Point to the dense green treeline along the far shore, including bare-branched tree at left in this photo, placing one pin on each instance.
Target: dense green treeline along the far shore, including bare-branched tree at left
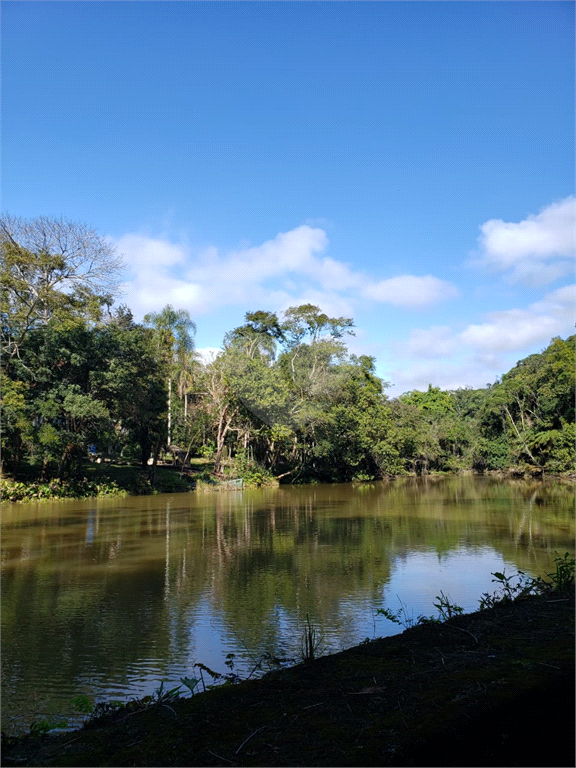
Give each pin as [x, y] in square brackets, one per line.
[283, 399]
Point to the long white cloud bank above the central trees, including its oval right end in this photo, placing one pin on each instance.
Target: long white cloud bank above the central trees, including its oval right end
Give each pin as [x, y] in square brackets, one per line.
[288, 270]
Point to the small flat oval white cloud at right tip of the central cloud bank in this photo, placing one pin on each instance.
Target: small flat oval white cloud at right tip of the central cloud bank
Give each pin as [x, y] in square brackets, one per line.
[411, 291]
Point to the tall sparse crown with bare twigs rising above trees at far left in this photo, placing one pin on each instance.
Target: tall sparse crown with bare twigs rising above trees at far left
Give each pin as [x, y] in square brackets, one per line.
[52, 268]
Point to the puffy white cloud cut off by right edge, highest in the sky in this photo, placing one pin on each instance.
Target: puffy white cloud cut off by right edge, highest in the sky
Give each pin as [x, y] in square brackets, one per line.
[536, 250]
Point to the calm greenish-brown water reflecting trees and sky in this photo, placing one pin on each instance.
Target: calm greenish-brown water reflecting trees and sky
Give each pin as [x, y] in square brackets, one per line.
[108, 597]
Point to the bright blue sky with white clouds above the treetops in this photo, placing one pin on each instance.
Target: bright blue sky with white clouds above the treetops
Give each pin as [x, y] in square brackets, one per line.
[409, 165]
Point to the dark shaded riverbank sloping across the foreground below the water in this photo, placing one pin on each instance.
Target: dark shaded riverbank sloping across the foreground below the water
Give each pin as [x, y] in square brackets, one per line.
[490, 688]
